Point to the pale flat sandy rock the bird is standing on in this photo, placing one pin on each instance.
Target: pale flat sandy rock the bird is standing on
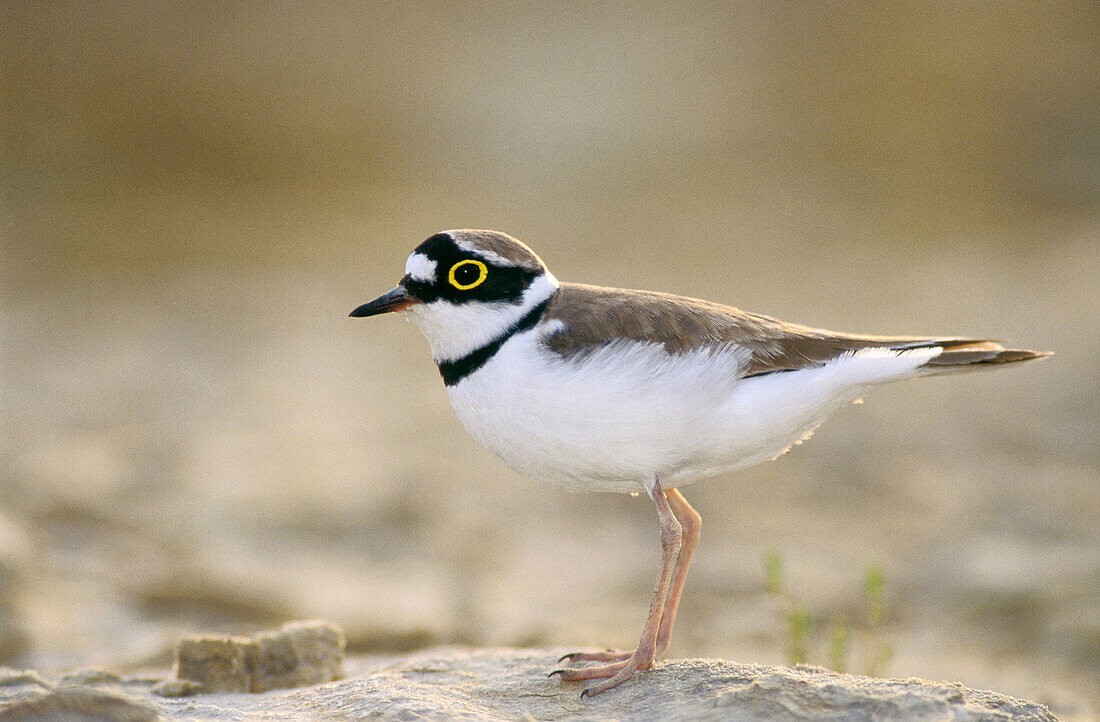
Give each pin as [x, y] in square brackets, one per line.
[513, 684]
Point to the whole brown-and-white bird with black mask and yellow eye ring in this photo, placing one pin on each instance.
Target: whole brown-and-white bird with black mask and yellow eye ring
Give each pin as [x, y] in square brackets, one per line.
[607, 390]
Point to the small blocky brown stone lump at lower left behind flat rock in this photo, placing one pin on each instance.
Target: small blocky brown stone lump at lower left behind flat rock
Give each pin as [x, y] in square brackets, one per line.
[299, 654]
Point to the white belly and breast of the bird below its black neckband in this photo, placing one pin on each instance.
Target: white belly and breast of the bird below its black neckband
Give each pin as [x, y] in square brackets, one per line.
[631, 412]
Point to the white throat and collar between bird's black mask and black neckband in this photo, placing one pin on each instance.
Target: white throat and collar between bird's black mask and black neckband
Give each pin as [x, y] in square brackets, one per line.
[455, 331]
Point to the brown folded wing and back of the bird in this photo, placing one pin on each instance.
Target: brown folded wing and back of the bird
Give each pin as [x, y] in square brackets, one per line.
[593, 318]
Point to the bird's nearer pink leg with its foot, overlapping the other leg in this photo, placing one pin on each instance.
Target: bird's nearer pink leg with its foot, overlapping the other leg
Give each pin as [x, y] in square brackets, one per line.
[644, 657]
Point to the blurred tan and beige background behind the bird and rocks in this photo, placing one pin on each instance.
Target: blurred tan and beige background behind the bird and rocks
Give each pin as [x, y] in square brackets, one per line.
[195, 437]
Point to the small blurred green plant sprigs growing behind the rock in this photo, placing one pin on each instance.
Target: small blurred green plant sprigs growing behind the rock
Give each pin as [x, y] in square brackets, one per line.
[801, 629]
